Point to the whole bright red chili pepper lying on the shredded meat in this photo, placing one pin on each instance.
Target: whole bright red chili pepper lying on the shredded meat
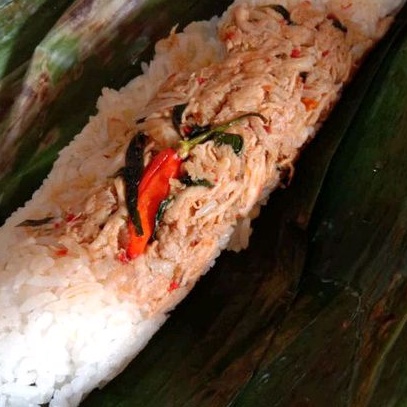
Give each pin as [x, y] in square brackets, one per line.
[154, 187]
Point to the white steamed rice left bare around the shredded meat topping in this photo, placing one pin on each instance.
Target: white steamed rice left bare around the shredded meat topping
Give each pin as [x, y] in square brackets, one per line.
[63, 326]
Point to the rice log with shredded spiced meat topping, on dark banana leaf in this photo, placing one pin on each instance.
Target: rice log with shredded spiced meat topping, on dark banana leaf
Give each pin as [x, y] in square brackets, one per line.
[74, 308]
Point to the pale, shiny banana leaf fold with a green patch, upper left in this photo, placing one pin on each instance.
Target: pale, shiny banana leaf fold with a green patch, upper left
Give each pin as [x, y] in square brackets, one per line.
[57, 61]
